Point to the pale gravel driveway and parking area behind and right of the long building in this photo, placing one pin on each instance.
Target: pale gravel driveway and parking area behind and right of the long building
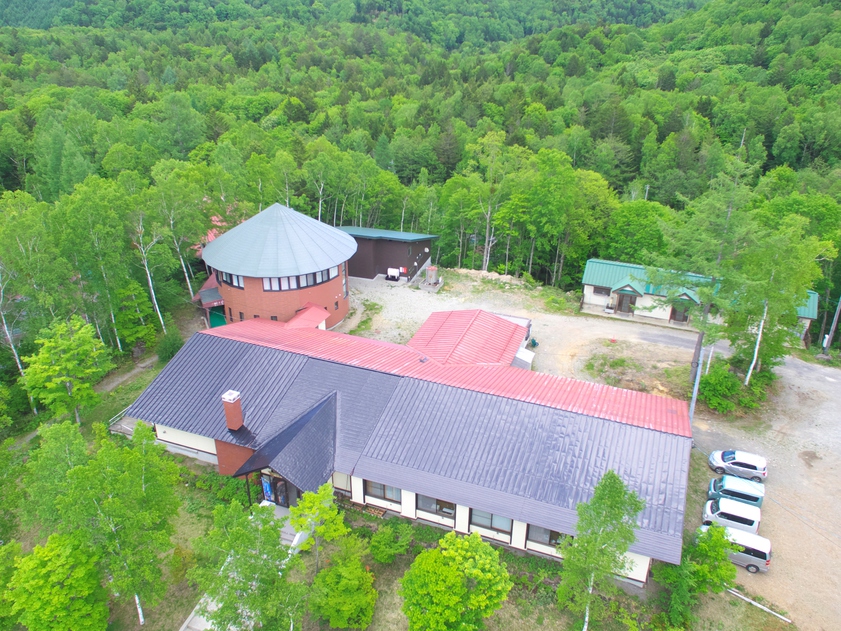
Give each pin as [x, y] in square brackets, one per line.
[799, 430]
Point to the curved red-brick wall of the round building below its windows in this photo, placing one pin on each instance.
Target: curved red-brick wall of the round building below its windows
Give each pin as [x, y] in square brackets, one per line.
[251, 300]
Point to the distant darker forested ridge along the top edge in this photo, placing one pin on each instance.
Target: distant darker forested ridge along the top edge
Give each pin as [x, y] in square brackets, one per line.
[446, 22]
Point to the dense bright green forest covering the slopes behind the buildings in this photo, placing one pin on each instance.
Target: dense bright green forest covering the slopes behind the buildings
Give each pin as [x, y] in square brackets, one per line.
[527, 148]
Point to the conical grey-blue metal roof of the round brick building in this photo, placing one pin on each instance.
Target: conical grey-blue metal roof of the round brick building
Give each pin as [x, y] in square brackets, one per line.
[279, 242]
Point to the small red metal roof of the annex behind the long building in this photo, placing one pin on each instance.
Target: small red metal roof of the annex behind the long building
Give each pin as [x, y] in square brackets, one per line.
[469, 337]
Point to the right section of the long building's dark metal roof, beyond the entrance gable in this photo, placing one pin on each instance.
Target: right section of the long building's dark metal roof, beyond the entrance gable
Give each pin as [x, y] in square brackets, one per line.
[526, 462]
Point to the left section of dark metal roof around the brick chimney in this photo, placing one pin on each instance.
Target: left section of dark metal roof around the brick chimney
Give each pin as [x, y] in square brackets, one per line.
[277, 388]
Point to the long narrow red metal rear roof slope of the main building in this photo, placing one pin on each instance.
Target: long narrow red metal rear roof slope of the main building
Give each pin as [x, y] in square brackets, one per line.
[607, 402]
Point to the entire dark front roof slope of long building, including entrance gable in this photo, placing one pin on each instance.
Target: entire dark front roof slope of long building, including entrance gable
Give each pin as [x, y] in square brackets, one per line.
[516, 459]
